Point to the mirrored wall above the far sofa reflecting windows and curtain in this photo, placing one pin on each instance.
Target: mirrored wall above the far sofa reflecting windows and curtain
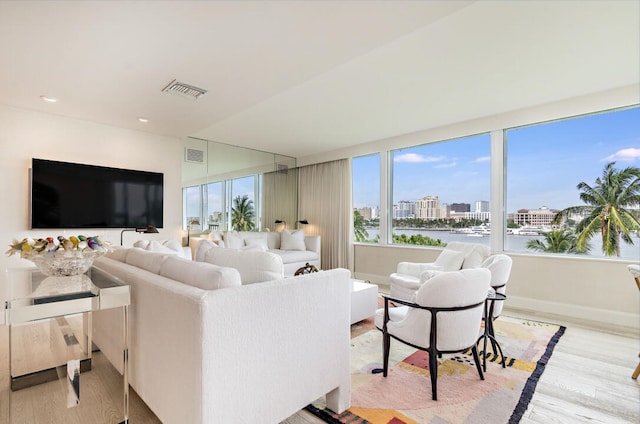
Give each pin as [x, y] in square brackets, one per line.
[215, 175]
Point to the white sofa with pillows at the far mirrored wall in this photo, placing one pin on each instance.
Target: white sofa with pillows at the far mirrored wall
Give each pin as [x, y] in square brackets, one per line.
[294, 247]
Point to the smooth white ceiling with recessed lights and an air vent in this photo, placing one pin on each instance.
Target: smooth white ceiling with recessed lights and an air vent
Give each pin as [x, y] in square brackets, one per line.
[305, 77]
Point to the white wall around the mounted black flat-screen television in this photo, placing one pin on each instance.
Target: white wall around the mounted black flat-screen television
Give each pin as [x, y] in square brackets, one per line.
[26, 134]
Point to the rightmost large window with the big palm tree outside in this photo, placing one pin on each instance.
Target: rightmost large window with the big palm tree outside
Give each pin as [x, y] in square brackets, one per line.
[545, 165]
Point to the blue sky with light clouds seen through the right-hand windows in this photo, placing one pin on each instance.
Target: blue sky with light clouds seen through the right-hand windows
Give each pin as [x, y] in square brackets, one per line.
[544, 163]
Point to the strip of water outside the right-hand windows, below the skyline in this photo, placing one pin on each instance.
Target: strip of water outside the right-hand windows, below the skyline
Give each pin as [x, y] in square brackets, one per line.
[514, 243]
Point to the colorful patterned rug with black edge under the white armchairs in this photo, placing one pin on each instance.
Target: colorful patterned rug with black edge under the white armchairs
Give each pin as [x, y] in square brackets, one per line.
[404, 397]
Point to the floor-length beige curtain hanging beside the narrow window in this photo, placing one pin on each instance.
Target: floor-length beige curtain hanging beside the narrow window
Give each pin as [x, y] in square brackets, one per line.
[324, 199]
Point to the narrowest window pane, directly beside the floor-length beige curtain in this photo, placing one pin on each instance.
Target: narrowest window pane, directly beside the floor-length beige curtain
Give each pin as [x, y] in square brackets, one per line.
[366, 198]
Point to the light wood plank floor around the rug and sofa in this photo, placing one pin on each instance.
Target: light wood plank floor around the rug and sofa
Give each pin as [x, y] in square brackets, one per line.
[588, 379]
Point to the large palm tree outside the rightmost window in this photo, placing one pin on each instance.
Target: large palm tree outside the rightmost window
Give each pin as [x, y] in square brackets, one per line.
[608, 204]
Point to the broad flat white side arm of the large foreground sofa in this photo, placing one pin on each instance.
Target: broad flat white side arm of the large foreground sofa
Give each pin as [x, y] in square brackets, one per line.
[288, 339]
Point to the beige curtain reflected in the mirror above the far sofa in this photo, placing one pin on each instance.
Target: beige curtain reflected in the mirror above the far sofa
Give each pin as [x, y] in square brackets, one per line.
[279, 199]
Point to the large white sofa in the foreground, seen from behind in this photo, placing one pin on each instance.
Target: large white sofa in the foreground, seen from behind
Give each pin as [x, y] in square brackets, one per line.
[206, 349]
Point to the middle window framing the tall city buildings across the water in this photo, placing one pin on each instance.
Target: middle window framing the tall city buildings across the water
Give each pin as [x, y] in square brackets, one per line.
[441, 192]
